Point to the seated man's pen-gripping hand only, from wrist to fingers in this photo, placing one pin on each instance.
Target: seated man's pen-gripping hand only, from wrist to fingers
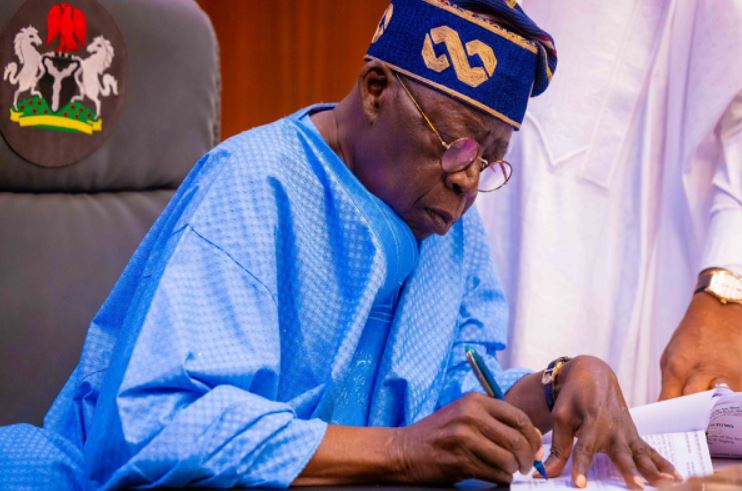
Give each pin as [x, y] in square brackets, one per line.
[474, 437]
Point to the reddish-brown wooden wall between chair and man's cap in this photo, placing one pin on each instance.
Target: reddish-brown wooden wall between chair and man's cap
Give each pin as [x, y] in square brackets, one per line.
[280, 55]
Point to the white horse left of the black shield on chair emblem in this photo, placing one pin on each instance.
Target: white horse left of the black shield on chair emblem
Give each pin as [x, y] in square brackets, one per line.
[31, 68]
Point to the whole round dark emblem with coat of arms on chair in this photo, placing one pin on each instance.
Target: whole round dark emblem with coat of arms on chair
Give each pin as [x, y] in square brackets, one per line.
[63, 79]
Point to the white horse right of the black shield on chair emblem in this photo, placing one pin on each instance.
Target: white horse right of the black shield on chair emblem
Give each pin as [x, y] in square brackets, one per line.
[88, 79]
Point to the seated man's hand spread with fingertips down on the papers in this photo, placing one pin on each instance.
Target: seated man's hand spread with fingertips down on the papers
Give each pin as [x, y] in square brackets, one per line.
[590, 406]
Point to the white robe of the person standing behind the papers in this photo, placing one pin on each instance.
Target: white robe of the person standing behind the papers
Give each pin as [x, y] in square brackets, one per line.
[627, 182]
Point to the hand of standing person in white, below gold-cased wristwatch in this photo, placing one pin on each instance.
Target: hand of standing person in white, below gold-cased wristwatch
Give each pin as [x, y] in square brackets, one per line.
[705, 350]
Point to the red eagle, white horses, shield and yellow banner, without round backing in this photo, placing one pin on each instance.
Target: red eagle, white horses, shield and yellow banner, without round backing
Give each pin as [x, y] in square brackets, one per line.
[63, 86]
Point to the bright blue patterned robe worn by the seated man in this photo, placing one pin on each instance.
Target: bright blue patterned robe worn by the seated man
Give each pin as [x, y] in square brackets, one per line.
[273, 296]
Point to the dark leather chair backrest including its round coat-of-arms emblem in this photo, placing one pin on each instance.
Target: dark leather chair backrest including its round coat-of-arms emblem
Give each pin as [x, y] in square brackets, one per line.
[66, 232]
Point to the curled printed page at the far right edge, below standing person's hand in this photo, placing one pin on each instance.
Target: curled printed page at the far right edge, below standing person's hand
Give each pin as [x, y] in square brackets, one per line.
[725, 426]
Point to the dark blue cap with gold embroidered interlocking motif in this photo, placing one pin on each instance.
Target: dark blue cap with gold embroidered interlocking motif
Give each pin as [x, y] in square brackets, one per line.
[450, 48]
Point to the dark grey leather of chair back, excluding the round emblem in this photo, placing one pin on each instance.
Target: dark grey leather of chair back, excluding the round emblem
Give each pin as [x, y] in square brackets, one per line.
[67, 232]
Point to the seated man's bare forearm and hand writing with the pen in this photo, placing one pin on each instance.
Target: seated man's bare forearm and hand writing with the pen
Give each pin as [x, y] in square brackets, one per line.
[474, 437]
